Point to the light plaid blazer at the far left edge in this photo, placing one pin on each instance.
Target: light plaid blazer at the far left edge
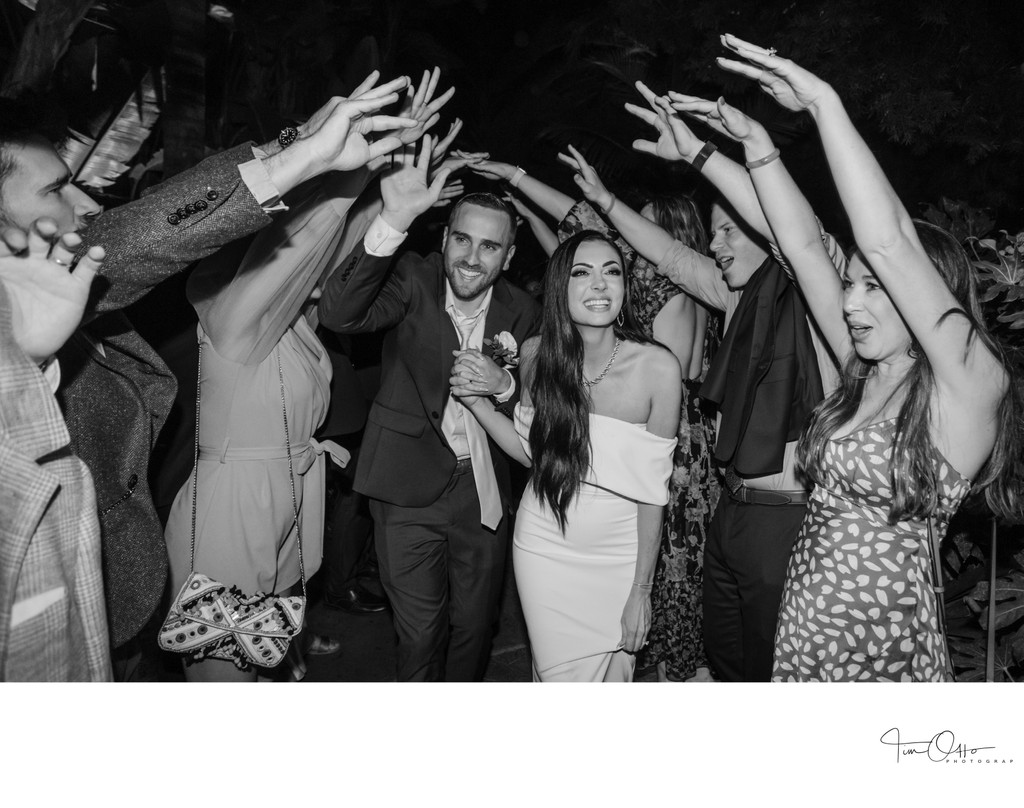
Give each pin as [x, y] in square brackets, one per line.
[53, 622]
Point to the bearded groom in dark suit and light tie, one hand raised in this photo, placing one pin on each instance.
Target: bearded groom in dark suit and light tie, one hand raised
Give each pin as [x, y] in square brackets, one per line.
[439, 487]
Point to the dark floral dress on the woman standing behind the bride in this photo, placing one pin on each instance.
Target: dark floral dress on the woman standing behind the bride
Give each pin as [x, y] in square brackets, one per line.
[677, 631]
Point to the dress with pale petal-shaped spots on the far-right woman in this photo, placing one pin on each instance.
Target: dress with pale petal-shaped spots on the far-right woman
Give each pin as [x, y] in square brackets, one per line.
[859, 604]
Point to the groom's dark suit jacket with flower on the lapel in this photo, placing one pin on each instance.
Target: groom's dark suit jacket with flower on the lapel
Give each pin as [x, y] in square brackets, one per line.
[406, 459]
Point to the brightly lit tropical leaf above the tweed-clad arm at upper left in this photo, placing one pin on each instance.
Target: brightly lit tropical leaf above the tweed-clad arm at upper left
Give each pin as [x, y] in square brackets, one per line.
[98, 163]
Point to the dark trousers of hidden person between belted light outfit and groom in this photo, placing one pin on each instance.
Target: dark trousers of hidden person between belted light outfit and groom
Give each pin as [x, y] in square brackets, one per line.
[349, 527]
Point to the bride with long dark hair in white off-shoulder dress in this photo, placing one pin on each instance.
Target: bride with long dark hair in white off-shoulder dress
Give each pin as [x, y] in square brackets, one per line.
[598, 422]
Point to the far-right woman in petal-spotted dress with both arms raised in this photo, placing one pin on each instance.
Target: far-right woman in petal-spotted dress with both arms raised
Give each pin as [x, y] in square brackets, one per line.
[927, 410]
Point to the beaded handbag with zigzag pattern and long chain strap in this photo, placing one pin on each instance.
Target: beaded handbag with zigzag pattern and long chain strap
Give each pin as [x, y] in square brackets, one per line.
[210, 620]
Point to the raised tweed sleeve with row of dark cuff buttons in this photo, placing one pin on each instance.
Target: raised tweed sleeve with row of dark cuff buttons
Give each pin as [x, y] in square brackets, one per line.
[183, 221]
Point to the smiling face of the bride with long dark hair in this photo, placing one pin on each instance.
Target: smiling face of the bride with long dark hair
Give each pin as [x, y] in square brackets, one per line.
[598, 285]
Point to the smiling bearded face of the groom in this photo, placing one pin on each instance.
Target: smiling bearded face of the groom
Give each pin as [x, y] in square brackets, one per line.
[478, 249]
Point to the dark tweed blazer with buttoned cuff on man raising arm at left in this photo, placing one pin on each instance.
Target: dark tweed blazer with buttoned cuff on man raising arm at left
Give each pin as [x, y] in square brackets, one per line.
[116, 392]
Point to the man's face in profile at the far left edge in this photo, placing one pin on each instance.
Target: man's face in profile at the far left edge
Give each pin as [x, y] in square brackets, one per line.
[39, 185]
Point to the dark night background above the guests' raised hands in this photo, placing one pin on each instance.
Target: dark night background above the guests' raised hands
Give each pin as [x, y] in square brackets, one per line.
[936, 87]
